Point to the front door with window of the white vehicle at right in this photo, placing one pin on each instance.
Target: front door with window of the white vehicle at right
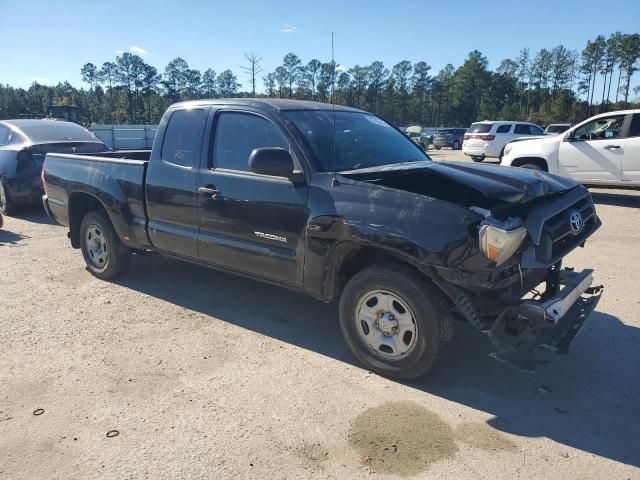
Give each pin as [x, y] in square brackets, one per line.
[594, 151]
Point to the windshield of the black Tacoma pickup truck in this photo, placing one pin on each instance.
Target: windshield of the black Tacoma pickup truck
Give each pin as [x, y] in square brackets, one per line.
[361, 140]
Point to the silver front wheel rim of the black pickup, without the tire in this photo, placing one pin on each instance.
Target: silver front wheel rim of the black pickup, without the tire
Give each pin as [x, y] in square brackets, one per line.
[386, 324]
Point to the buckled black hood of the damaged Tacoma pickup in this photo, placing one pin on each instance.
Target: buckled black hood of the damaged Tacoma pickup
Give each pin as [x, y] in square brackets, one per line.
[467, 184]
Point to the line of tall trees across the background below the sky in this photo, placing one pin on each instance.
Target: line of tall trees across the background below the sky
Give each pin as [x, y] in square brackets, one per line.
[547, 86]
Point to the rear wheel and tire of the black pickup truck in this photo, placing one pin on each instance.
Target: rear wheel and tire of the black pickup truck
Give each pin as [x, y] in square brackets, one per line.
[105, 255]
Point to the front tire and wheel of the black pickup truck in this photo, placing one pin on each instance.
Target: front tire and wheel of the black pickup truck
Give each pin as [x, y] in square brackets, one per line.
[426, 310]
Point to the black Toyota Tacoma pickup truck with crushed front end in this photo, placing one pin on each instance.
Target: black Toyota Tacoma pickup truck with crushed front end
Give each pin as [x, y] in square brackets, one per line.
[337, 203]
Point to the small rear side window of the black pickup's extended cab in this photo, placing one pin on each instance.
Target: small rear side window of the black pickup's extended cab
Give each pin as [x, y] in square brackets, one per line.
[182, 137]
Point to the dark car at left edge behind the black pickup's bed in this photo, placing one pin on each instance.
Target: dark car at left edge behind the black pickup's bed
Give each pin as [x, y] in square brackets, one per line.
[23, 145]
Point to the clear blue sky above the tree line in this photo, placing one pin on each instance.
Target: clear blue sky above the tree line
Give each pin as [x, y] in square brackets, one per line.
[51, 40]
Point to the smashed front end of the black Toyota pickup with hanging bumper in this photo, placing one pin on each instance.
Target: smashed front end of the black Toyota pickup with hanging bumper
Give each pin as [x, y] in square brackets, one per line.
[527, 250]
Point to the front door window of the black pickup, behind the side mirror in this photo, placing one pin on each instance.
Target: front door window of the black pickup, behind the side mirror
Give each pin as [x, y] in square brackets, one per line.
[238, 134]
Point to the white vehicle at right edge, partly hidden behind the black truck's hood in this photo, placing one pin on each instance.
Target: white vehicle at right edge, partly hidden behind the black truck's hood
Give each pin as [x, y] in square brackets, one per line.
[604, 149]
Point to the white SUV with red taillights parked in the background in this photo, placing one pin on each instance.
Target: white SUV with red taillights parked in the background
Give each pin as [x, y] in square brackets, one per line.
[488, 139]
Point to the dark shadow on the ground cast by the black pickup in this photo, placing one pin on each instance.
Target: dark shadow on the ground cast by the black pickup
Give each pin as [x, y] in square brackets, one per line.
[587, 400]
